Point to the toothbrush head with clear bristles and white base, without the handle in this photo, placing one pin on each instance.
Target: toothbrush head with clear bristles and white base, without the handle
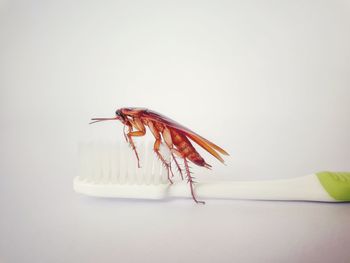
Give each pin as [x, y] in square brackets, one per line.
[110, 170]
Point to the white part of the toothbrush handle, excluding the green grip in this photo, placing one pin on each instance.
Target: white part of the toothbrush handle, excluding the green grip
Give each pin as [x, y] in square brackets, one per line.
[306, 188]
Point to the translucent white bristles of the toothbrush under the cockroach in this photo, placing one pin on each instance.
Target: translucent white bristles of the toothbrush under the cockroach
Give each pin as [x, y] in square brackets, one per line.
[116, 163]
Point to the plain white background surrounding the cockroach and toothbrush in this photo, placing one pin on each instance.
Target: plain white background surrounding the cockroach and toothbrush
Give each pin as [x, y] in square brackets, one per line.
[269, 81]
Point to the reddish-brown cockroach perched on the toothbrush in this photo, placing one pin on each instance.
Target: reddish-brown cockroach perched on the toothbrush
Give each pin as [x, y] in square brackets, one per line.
[176, 137]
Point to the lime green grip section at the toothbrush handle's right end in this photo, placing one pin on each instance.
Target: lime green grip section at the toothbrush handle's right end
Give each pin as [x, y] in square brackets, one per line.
[337, 184]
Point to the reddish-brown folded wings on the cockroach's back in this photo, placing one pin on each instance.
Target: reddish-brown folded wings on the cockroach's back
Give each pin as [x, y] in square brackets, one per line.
[204, 143]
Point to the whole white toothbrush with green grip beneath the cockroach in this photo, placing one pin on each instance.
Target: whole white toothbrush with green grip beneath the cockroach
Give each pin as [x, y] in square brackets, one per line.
[109, 170]
